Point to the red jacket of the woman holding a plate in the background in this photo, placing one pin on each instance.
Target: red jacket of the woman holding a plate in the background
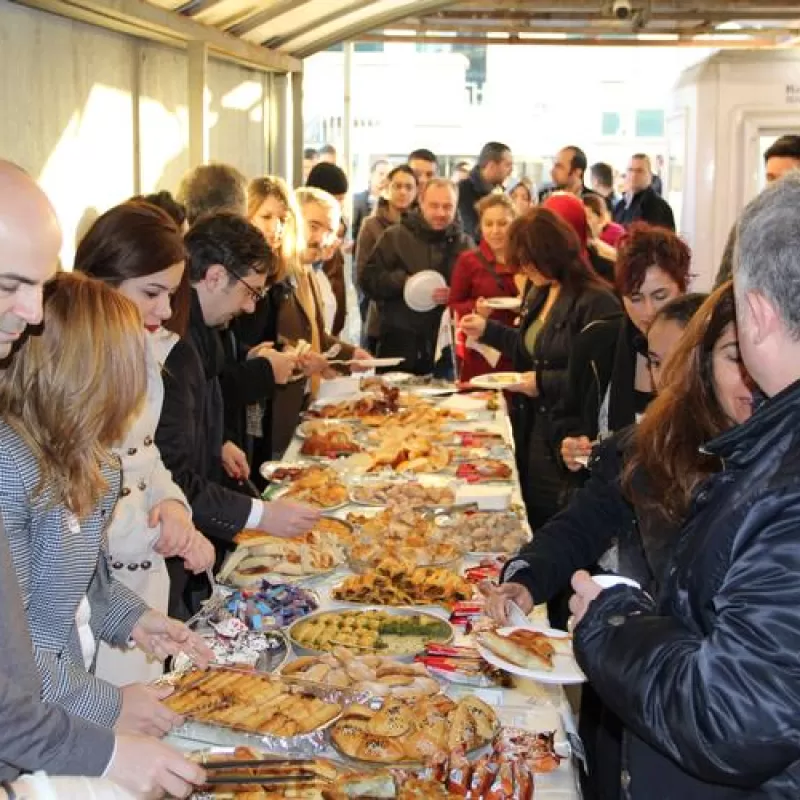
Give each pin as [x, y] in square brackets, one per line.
[472, 278]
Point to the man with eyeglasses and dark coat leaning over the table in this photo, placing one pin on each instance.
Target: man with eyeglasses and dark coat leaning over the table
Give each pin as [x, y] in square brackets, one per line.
[230, 266]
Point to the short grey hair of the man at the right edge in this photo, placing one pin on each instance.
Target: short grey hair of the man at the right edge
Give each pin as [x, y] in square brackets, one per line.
[767, 258]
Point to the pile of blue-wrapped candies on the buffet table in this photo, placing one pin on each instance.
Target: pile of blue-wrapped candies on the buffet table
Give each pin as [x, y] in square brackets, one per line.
[272, 605]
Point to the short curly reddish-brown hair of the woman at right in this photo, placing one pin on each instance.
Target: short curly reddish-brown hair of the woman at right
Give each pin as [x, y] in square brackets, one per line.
[644, 246]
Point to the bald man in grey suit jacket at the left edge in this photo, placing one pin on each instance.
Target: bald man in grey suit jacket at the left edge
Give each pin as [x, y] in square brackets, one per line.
[34, 735]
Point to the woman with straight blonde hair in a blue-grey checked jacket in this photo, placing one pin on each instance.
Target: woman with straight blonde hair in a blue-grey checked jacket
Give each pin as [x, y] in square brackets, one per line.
[67, 398]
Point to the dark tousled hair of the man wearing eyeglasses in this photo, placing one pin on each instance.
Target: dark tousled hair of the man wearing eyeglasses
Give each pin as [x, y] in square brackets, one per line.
[230, 240]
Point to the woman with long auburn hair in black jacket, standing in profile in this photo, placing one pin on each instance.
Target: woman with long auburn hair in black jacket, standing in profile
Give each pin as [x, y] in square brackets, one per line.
[566, 296]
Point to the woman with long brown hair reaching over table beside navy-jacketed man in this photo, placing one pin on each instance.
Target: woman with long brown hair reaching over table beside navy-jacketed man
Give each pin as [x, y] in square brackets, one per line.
[638, 494]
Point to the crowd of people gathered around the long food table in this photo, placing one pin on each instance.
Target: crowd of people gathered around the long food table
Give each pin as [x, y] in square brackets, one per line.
[654, 432]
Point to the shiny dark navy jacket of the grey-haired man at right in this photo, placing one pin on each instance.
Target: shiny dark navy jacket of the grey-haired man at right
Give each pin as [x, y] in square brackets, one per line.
[707, 681]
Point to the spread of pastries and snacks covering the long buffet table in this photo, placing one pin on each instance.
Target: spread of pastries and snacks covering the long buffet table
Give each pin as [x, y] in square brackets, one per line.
[393, 692]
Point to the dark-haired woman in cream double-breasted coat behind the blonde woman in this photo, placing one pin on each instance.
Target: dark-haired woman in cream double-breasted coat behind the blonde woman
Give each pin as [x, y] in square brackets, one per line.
[138, 249]
